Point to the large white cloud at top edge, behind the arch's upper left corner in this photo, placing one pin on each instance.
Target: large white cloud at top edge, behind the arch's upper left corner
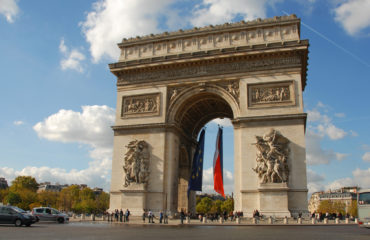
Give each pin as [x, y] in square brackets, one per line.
[112, 20]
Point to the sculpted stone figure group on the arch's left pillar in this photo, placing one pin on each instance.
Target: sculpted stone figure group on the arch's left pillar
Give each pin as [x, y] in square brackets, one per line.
[136, 162]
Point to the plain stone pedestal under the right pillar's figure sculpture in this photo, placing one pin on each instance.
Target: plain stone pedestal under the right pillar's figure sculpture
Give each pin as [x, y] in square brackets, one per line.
[273, 198]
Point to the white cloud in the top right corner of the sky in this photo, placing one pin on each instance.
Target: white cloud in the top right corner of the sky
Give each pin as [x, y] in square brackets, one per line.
[353, 15]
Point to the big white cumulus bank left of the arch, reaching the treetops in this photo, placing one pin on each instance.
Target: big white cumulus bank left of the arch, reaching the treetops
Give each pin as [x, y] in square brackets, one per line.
[90, 127]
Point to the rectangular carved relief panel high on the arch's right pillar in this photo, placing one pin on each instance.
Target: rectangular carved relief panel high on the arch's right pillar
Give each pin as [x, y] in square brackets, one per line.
[262, 95]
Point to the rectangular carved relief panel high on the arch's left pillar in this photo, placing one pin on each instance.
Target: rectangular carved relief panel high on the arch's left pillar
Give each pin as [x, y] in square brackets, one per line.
[140, 105]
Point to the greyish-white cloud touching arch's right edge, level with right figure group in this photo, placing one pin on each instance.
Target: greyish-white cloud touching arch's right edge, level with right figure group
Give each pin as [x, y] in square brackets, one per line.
[315, 154]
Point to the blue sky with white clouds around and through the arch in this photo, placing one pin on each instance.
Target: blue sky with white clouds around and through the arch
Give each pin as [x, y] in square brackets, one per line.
[58, 97]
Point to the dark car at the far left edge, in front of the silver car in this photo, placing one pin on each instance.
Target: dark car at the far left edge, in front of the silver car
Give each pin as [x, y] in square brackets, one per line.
[16, 216]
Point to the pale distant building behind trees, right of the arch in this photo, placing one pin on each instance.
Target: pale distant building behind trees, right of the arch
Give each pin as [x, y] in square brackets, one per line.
[345, 195]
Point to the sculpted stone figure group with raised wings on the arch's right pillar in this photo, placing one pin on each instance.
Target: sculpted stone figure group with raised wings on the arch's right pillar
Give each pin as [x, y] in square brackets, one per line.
[272, 157]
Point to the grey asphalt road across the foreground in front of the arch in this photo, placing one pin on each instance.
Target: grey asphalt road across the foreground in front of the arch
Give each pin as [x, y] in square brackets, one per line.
[104, 230]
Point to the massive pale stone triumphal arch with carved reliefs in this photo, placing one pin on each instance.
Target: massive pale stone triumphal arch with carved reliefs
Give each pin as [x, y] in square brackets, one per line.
[169, 85]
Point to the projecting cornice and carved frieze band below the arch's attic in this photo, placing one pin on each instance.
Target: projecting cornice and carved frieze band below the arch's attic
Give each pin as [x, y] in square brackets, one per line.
[213, 63]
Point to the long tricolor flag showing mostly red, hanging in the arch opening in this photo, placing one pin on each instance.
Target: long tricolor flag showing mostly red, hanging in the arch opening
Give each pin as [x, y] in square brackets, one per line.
[218, 181]
